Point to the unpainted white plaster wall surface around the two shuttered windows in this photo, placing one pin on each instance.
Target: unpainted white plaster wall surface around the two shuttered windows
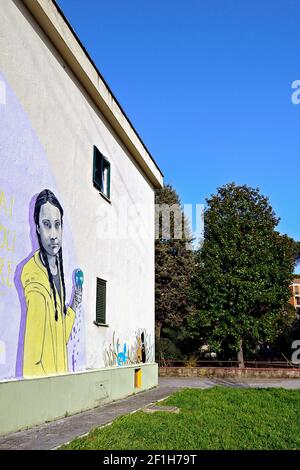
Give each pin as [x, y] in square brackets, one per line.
[68, 124]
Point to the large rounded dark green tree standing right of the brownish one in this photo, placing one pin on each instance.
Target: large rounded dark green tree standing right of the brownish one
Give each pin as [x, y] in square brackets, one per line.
[243, 271]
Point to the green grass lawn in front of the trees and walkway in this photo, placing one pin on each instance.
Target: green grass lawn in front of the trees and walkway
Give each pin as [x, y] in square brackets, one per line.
[216, 418]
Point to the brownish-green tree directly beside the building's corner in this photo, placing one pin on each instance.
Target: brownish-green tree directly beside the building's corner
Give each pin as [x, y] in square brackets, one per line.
[174, 262]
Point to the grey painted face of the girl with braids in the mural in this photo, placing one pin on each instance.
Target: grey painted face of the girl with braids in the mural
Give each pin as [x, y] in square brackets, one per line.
[50, 228]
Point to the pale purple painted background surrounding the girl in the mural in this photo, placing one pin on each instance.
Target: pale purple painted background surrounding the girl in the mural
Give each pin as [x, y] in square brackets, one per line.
[24, 172]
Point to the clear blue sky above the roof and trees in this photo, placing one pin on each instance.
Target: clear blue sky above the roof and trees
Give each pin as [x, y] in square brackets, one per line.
[207, 85]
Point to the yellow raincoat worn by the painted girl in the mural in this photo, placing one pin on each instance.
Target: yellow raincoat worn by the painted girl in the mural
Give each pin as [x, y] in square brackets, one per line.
[45, 345]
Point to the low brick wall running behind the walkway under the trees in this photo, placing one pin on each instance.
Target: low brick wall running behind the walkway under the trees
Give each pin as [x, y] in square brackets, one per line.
[228, 372]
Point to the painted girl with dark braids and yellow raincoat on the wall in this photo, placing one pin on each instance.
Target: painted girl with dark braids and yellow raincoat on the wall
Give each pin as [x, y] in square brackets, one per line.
[49, 322]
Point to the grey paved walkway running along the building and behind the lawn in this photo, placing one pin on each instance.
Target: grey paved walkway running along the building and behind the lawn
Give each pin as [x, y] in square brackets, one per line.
[51, 435]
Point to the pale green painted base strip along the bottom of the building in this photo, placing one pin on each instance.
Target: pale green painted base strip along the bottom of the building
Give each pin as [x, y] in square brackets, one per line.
[29, 402]
